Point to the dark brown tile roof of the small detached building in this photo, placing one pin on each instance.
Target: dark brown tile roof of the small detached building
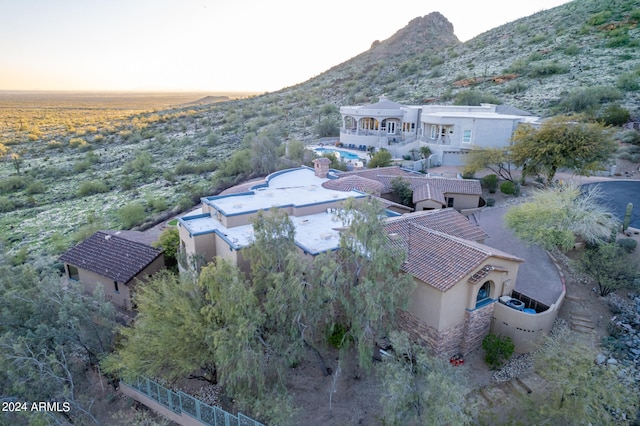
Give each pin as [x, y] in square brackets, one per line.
[111, 256]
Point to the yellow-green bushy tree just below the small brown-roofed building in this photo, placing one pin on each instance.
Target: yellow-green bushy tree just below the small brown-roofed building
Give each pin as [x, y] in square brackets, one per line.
[170, 315]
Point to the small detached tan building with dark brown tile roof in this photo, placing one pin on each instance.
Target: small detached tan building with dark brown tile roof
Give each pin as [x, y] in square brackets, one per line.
[116, 260]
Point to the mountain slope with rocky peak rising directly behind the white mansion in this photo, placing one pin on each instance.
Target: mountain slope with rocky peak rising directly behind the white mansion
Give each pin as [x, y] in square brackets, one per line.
[573, 58]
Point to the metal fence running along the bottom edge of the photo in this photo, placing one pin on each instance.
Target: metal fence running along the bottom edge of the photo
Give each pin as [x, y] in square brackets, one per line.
[180, 402]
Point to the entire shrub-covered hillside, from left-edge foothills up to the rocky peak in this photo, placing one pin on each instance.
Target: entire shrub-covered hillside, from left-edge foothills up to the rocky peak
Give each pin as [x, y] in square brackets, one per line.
[583, 56]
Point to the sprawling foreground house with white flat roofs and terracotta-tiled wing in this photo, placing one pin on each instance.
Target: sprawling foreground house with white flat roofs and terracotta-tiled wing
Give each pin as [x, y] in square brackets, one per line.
[459, 280]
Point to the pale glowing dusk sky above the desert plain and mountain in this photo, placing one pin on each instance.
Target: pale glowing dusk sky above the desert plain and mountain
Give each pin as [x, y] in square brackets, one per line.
[210, 45]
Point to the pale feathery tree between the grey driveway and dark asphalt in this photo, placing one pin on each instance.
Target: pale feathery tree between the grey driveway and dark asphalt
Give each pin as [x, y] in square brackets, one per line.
[557, 215]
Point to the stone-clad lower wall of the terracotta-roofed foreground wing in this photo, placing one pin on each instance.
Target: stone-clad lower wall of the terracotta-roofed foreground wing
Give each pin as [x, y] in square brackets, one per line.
[445, 343]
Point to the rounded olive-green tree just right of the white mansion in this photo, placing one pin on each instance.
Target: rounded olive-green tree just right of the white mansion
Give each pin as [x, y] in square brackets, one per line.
[562, 142]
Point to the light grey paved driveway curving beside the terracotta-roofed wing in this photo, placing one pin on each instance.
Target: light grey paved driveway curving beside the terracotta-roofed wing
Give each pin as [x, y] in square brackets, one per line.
[538, 277]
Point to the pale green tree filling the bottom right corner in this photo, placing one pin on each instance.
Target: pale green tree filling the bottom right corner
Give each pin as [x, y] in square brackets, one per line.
[578, 390]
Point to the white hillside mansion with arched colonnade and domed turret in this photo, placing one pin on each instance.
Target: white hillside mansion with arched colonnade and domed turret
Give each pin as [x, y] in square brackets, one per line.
[450, 131]
